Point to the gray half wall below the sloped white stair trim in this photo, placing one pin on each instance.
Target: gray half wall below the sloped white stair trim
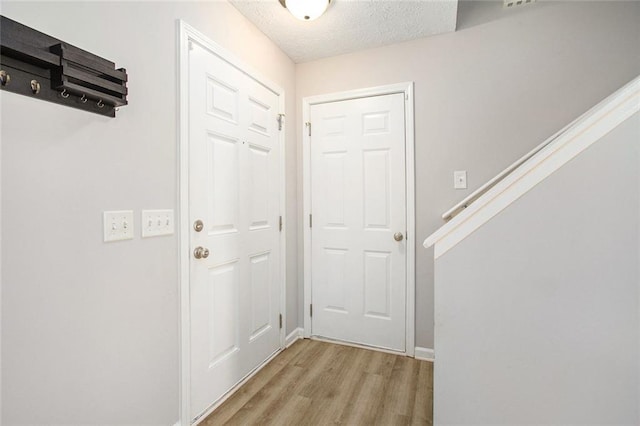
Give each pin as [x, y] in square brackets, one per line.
[537, 312]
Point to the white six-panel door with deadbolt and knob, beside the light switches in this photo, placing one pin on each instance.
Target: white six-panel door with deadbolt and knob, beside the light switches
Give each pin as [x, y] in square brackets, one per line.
[234, 186]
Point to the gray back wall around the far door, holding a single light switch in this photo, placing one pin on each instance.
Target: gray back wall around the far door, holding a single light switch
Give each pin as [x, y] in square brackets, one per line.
[487, 94]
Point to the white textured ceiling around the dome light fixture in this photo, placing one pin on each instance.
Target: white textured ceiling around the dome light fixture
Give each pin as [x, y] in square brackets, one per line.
[349, 25]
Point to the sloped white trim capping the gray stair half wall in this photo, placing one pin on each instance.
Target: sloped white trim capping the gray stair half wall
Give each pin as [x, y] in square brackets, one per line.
[590, 128]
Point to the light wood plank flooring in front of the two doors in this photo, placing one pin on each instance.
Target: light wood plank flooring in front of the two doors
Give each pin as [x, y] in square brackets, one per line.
[318, 383]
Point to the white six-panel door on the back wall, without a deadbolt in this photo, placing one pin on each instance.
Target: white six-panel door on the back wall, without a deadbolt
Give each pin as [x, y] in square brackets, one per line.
[358, 200]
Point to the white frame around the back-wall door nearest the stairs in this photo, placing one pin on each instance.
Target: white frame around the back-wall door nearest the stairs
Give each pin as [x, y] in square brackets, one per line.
[406, 89]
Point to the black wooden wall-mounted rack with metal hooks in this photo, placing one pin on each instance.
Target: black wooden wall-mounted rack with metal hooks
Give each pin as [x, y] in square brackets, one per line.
[40, 66]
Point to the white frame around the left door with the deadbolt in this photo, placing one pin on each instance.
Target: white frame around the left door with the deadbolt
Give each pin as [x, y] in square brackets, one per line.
[186, 34]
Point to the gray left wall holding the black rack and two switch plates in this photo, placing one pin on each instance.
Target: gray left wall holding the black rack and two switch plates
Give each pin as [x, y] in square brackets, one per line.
[90, 330]
